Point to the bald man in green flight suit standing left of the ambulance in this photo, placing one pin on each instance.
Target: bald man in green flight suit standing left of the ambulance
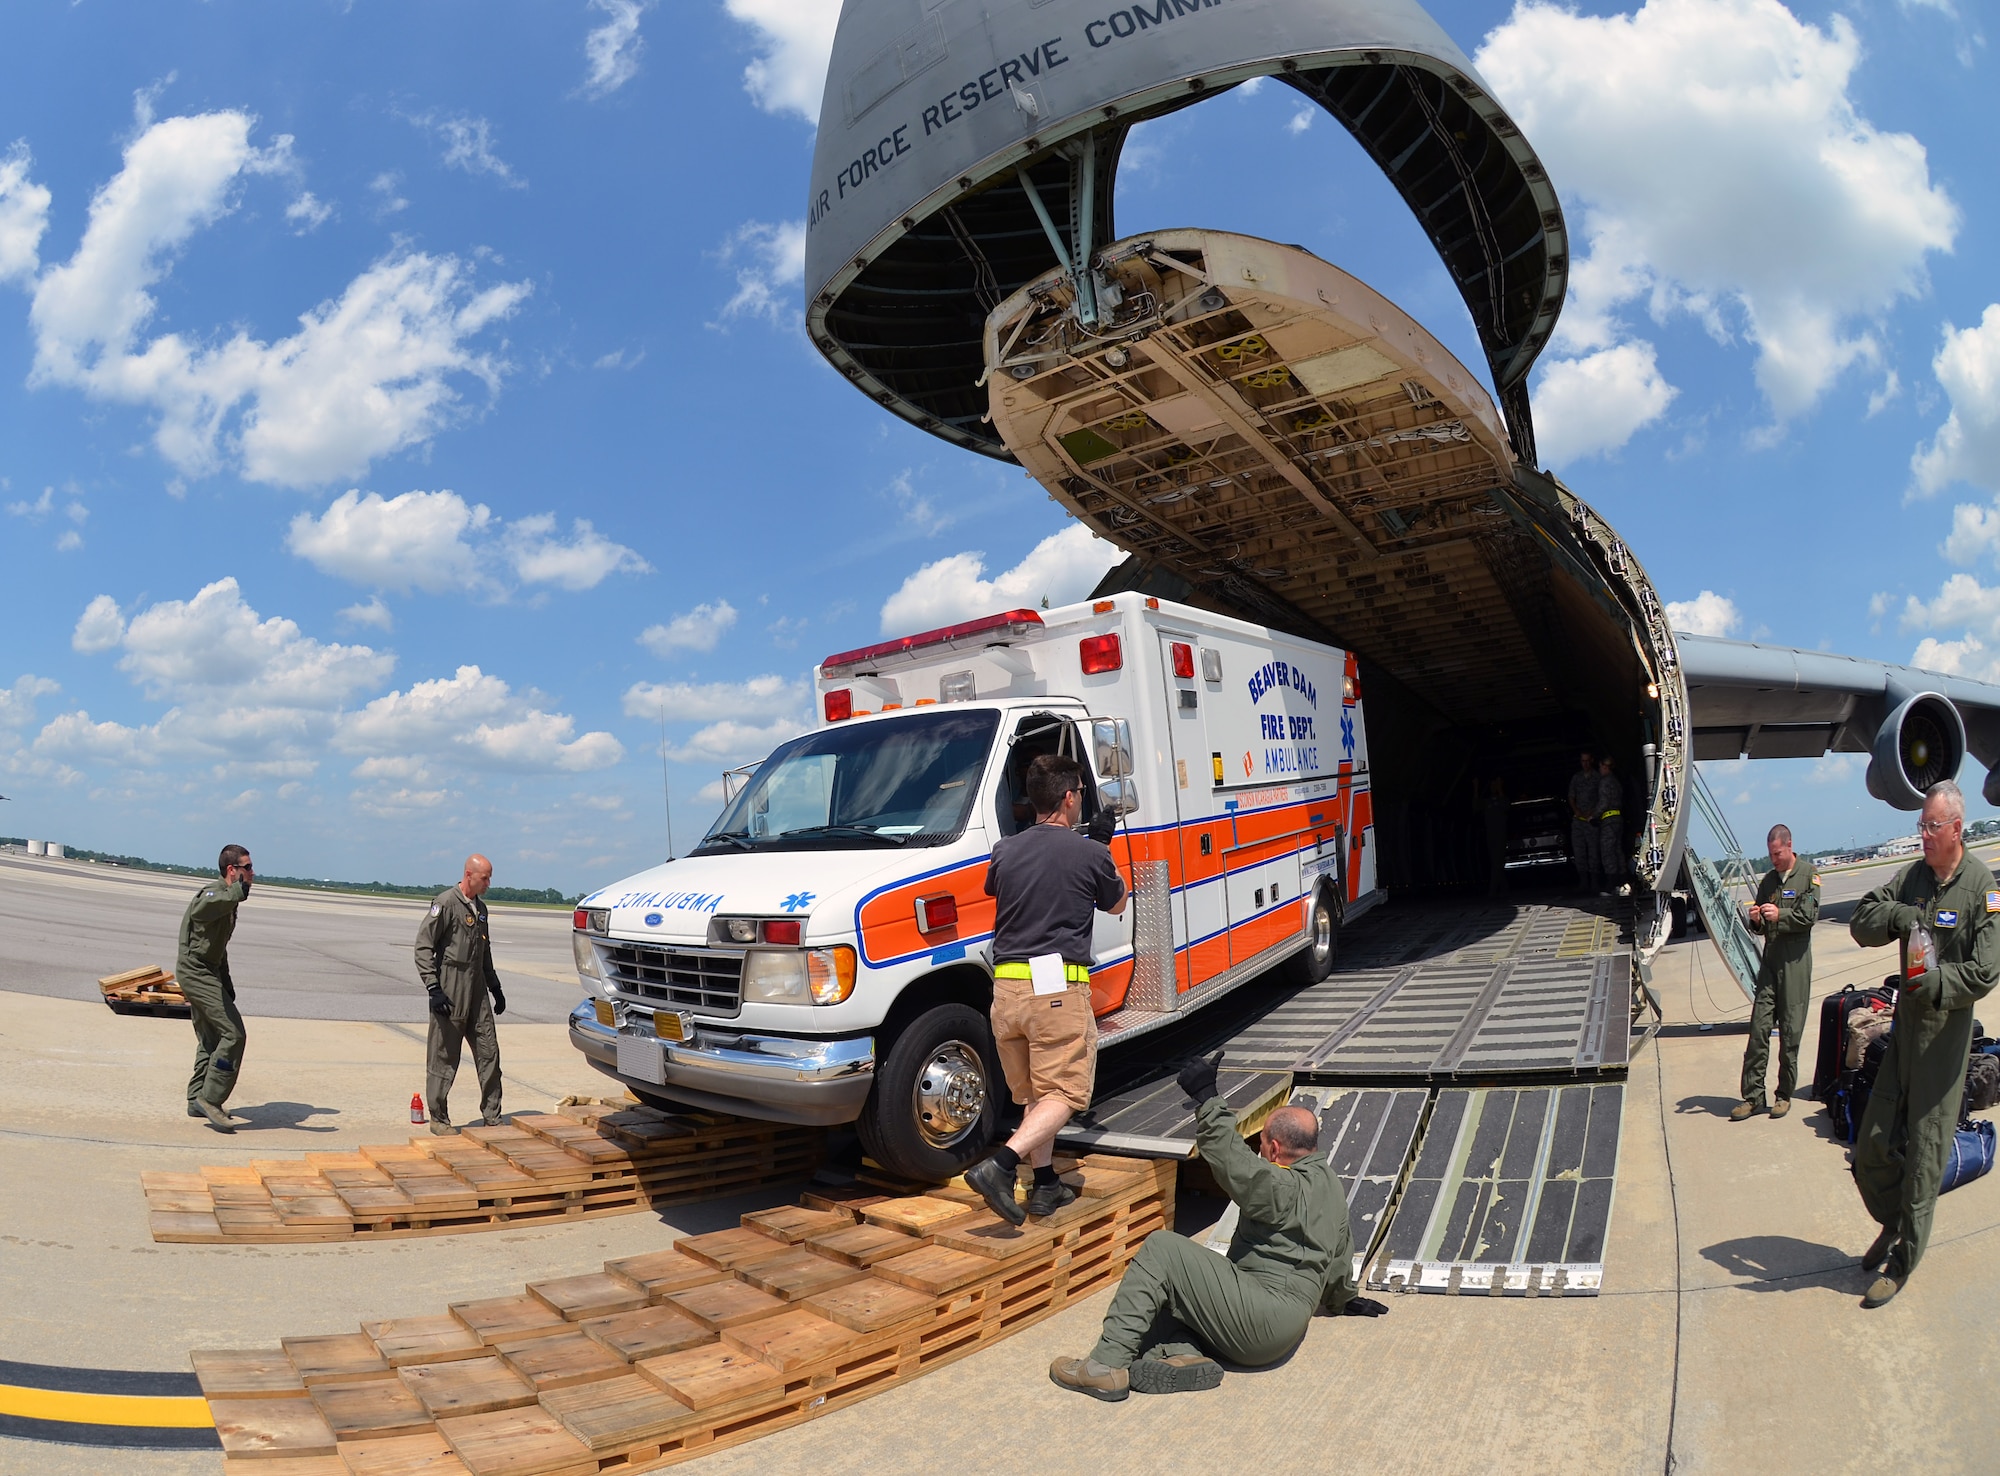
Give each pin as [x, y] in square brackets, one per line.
[455, 957]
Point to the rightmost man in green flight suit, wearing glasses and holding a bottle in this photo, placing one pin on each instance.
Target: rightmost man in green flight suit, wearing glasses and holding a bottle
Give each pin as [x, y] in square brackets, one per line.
[1943, 913]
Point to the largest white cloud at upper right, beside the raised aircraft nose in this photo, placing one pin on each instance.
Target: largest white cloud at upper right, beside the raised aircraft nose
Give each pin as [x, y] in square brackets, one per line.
[1723, 169]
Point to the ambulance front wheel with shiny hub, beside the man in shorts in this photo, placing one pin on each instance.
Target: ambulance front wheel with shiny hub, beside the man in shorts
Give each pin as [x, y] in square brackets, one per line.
[937, 1097]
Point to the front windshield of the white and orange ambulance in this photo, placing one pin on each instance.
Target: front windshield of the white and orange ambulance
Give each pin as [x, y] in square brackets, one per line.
[899, 783]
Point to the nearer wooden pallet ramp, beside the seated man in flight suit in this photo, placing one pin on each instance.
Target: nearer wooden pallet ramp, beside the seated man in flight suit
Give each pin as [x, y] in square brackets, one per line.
[659, 1359]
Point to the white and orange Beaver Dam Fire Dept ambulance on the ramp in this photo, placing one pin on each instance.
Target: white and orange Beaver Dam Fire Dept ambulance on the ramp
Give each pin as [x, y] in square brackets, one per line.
[825, 955]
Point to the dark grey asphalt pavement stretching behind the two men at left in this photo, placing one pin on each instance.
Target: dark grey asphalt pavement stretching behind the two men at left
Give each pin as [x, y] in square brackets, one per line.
[295, 955]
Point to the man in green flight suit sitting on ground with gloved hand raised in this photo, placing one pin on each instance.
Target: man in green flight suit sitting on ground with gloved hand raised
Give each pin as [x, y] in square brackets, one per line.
[1181, 1305]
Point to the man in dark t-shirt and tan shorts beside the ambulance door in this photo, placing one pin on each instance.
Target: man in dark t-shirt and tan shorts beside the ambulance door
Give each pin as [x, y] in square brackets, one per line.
[1049, 883]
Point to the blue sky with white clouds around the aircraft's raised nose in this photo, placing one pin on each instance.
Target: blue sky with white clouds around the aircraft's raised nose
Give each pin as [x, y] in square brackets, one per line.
[403, 405]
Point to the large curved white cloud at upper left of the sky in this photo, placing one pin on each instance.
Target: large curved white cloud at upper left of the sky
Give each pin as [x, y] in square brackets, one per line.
[367, 375]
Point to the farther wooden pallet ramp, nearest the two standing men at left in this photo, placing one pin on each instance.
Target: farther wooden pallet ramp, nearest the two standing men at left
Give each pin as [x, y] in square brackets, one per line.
[571, 1165]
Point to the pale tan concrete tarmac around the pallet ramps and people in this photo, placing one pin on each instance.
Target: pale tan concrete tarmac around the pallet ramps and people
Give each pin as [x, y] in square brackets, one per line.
[1729, 1335]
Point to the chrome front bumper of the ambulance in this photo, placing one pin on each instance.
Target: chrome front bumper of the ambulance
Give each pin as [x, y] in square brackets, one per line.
[779, 1079]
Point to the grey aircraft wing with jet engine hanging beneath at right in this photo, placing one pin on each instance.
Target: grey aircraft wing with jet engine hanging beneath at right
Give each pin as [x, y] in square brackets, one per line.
[1753, 701]
